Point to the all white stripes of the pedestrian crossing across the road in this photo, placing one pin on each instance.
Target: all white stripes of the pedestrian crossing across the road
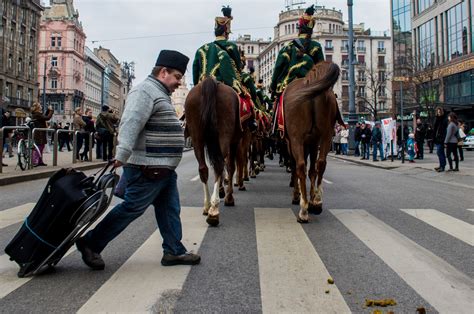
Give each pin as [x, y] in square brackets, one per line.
[292, 275]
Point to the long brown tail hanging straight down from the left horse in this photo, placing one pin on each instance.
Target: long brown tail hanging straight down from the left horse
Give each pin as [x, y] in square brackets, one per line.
[209, 123]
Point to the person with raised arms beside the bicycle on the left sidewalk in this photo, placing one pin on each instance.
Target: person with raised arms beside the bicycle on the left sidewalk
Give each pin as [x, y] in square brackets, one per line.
[40, 138]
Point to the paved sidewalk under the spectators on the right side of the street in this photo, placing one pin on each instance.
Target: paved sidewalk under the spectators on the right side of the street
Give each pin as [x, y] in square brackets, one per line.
[423, 168]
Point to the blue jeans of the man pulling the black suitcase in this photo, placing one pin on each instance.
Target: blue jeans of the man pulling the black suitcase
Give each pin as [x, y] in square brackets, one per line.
[140, 193]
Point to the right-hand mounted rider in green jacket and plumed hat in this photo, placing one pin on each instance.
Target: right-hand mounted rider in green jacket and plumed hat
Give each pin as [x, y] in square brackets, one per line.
[297, 58]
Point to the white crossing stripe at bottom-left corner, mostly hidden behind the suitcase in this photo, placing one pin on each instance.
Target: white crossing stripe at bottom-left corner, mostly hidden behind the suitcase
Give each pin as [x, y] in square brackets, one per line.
[9, 280]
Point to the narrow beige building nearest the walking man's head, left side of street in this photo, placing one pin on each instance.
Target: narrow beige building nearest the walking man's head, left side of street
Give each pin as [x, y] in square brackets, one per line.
[114, 93]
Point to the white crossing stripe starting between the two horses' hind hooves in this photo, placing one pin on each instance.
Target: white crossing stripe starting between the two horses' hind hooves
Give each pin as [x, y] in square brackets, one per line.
[293, 278]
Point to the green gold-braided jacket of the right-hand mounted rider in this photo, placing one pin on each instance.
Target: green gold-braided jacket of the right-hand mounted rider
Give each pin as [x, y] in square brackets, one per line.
[292, 64]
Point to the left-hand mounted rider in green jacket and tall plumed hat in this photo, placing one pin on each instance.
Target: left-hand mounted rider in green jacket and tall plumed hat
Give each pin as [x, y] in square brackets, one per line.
[221, 59]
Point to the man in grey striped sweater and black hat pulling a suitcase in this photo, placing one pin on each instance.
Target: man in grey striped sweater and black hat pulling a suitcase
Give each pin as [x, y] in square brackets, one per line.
[151, 142]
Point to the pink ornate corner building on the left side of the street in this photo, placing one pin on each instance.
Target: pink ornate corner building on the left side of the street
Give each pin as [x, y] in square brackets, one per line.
[61, 65]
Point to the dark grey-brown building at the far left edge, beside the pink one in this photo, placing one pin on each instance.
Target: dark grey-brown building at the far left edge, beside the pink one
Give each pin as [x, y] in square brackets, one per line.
[19, 26]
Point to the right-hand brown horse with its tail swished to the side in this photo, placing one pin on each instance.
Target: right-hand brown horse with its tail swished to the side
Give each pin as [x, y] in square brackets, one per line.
[310, 111]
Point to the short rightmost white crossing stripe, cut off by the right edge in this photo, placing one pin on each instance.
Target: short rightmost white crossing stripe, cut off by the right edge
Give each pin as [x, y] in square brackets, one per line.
[452, 226]
